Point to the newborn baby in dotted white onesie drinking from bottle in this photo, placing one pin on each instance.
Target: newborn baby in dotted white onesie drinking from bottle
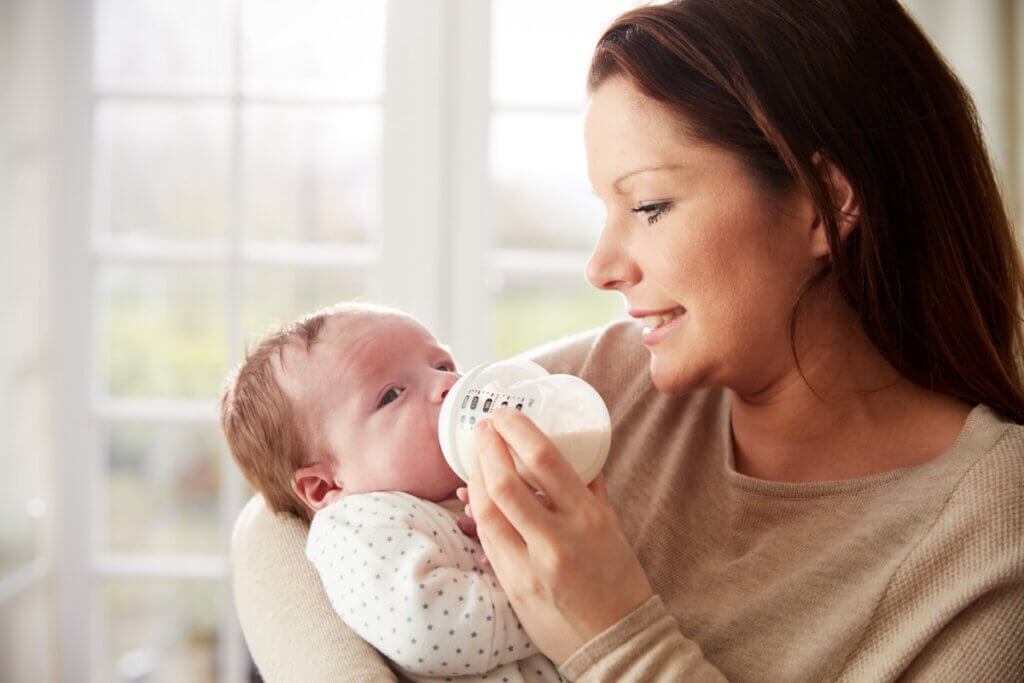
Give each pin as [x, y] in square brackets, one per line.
[335, 419]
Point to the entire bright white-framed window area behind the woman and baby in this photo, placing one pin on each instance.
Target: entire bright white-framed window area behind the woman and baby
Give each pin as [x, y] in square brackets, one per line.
[243, 166]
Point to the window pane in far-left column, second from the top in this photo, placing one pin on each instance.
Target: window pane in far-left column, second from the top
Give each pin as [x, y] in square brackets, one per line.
[161, 172]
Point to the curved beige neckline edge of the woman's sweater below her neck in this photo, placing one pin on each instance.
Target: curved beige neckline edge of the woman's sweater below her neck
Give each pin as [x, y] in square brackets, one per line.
[970, 440]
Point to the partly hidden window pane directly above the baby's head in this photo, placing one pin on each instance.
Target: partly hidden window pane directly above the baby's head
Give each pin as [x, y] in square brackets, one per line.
[277, 295]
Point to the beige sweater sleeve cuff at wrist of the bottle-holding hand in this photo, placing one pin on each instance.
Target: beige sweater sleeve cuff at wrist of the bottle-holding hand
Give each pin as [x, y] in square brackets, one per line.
[646, 646]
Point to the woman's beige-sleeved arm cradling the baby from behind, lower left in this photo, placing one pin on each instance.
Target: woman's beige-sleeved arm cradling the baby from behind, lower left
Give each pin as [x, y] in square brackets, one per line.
[292, 632]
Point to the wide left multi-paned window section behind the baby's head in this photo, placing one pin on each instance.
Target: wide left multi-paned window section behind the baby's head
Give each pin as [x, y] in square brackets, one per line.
[235, 183]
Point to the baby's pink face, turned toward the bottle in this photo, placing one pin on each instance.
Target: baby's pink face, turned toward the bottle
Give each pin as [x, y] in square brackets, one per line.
[372, 388]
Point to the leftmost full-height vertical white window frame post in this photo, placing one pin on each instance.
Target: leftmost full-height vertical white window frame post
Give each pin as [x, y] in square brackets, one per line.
[76, 442]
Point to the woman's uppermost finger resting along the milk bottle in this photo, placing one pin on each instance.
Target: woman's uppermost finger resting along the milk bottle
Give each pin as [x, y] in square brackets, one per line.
[541, 458]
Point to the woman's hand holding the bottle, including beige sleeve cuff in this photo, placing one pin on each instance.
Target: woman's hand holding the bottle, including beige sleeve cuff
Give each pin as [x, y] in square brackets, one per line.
[568, 568]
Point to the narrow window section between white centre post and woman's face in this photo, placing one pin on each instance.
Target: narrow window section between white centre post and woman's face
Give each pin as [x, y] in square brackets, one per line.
[546, 219]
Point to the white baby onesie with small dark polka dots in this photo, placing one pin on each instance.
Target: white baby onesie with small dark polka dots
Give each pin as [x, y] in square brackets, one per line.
[402, 575]
